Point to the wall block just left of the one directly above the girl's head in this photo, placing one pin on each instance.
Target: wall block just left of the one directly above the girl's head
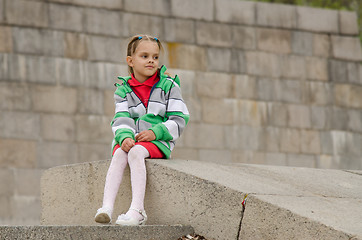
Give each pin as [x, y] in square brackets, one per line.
[101, 21]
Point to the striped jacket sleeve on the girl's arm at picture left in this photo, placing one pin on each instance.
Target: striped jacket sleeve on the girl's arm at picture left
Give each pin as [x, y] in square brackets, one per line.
[123, 126]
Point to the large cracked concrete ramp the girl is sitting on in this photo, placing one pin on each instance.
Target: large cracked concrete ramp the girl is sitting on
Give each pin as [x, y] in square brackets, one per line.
[282, 203]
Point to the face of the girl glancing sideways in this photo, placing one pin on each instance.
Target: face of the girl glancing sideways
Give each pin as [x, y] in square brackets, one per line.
[144, 60]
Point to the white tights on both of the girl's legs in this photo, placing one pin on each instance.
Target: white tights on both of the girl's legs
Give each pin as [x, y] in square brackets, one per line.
[136, 160]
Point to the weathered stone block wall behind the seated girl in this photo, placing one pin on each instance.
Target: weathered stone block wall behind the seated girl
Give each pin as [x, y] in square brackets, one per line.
[265, 83]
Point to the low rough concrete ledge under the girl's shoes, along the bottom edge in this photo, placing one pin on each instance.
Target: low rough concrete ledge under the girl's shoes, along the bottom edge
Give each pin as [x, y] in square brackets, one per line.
[94, 232]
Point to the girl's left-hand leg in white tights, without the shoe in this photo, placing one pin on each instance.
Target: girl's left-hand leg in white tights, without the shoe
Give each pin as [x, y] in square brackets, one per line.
[114, 178]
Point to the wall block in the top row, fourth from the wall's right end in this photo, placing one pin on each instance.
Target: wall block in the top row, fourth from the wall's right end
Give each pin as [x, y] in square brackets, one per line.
[239, 12]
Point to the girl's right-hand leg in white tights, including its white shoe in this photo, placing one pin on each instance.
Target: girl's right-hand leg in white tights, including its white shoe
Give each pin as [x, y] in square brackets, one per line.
[136, 161]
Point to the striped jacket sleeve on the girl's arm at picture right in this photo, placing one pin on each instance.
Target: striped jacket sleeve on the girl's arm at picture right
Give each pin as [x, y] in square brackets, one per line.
[177, 116]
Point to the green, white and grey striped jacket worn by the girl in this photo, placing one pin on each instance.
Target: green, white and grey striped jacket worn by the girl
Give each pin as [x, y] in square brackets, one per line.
[166, 114]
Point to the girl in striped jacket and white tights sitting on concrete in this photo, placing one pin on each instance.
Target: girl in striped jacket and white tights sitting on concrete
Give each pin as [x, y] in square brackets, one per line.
[150, 116]
